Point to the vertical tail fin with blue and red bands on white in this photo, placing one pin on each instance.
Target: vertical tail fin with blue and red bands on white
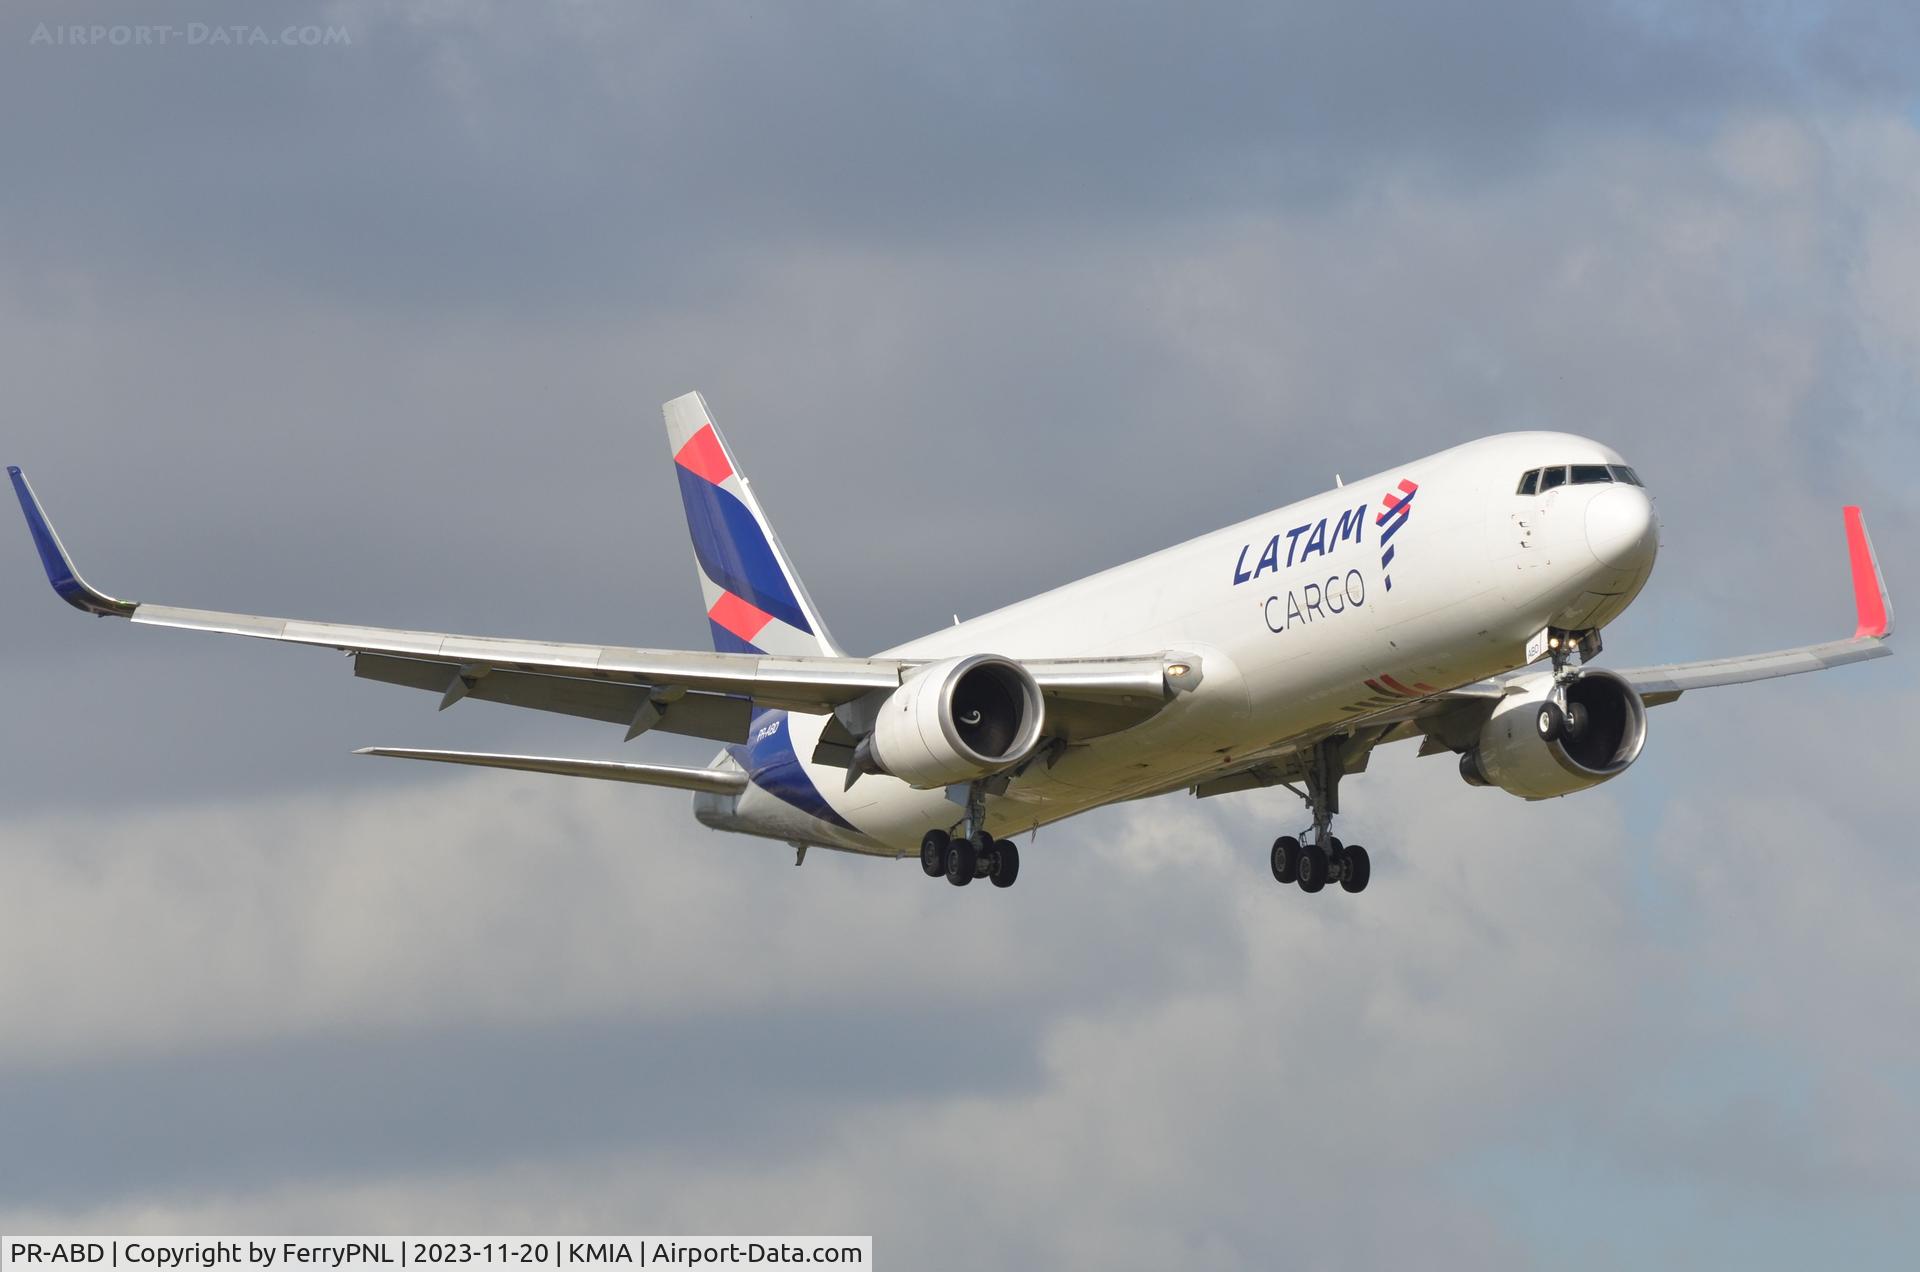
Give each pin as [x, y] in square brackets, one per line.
[756, 600]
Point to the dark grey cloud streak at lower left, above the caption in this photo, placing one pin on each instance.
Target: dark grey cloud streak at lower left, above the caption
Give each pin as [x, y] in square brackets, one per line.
[759, 1087]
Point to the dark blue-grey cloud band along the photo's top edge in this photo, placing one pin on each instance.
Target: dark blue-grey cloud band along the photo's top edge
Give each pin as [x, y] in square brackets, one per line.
[504, 159]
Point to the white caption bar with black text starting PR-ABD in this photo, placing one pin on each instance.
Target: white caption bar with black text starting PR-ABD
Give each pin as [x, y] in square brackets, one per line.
[425, 1254]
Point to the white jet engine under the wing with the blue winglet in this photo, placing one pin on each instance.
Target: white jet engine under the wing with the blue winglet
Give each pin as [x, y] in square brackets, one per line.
[957, 722]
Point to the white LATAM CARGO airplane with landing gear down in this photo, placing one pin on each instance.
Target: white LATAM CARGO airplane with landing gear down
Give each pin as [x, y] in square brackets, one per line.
[1456, 600]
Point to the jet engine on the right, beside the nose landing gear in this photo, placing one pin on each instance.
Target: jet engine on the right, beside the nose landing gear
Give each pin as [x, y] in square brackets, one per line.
[1606, 725]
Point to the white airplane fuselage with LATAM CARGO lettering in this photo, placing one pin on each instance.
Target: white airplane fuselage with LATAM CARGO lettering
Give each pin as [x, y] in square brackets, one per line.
[1287, 616]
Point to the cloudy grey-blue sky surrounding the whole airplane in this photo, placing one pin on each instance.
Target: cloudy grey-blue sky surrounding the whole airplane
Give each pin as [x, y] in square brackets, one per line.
[986, 297]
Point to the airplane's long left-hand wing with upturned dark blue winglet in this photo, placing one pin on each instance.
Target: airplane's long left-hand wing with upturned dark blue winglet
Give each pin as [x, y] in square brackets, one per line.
[673, 691]
